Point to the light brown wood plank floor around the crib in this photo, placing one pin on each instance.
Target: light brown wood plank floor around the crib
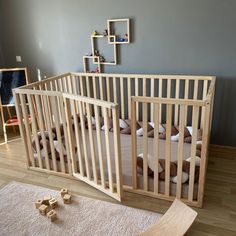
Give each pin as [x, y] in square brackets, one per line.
[218, 217]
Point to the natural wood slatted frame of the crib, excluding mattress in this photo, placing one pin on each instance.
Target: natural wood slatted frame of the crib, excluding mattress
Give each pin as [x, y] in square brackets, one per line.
[55, 103]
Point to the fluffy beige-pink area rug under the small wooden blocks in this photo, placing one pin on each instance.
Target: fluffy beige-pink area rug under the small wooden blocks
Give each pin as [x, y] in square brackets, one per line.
[84, 216]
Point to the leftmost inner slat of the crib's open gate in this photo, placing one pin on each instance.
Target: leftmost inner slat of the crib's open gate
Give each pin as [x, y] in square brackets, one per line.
[77, 137]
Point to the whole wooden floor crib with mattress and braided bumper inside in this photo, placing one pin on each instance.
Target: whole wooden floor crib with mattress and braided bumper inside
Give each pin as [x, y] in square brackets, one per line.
[115, 131]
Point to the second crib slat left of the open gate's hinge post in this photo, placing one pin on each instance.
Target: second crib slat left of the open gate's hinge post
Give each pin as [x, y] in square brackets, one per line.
[48, 125]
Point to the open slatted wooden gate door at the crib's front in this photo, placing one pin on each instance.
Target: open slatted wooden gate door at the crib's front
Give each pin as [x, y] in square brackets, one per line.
[95, 150]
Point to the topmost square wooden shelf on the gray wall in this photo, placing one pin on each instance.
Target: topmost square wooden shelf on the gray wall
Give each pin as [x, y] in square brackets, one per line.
[112, 37]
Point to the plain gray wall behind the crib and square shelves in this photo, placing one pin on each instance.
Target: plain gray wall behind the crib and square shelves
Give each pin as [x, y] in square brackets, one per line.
[169, 37]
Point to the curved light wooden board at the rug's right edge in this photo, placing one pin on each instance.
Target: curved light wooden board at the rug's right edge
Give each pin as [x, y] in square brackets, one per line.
[176, 221]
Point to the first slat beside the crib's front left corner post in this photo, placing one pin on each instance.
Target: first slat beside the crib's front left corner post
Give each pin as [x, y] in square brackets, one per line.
[27, 128]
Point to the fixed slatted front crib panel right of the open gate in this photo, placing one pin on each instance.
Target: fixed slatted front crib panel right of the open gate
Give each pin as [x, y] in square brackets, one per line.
[186, 108]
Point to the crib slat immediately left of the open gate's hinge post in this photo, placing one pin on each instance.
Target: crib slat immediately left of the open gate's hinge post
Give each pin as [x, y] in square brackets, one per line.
[56, 116]
